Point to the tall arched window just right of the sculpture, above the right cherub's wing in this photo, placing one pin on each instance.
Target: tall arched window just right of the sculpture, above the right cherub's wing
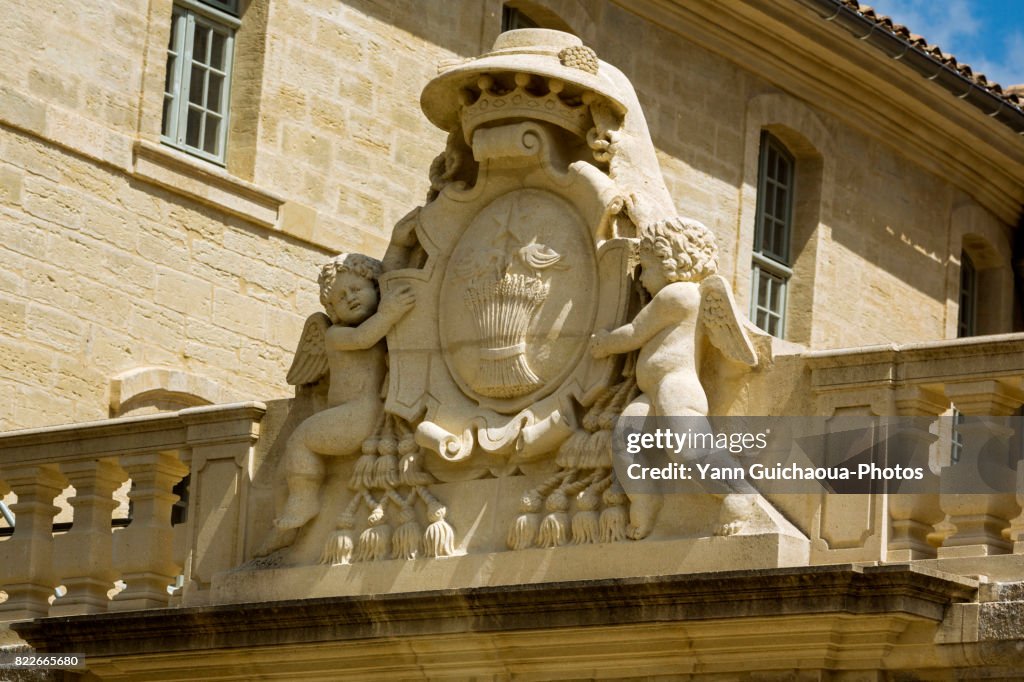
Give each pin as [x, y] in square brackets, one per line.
[774, 228]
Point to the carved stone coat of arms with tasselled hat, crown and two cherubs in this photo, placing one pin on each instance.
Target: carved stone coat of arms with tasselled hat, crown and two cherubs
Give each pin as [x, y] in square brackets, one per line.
[545, 199]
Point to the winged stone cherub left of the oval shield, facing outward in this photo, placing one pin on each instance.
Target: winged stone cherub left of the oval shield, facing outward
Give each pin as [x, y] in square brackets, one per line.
[349, 344]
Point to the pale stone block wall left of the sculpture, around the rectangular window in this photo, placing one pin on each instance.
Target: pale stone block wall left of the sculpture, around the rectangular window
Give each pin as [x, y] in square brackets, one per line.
[104, 272]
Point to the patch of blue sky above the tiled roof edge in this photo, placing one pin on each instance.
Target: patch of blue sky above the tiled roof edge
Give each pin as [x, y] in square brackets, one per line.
[987, 34]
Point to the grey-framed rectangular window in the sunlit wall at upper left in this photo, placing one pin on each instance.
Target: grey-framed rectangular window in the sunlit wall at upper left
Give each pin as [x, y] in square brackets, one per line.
[198, 80]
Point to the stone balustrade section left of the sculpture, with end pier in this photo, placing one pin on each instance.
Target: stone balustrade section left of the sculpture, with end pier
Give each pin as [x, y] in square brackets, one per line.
[214, 445]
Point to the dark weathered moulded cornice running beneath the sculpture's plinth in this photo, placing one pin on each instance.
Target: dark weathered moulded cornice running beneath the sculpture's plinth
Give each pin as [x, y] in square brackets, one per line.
[838, 590]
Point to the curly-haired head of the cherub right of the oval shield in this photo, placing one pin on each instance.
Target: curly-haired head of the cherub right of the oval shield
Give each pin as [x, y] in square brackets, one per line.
[676, 250]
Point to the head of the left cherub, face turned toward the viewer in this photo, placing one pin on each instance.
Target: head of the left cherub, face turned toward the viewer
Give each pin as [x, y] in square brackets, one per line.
[349, 288]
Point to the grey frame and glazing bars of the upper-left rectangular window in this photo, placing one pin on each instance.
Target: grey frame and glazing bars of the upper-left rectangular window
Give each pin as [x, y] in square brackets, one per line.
[186, 16]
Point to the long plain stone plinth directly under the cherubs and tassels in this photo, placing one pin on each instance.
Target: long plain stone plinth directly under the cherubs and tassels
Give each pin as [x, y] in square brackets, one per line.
[570, 564]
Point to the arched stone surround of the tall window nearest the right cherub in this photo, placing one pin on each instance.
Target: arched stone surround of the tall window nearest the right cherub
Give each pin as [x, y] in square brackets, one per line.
[800, 130]
